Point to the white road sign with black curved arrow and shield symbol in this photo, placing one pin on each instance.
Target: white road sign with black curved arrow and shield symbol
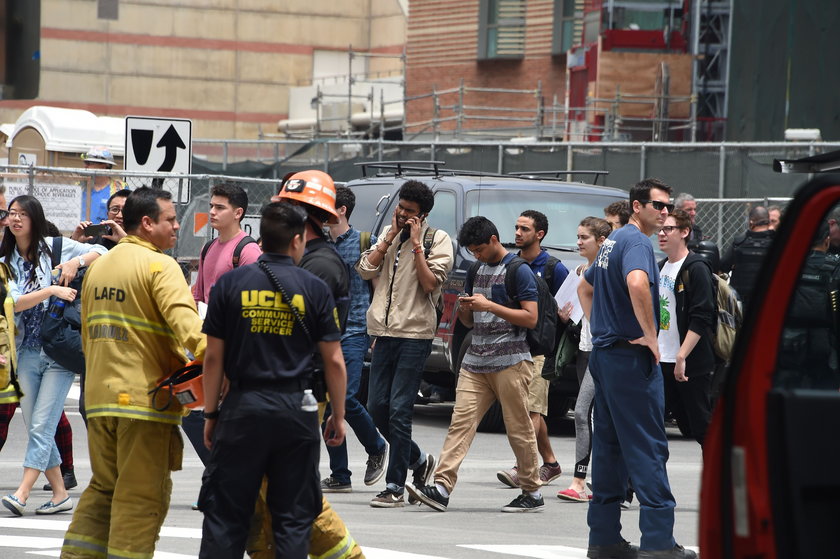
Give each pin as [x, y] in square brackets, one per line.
[160, 145]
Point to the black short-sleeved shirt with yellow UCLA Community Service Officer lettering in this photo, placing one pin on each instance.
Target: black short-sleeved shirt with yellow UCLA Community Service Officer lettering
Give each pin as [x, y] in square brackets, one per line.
[263, 339]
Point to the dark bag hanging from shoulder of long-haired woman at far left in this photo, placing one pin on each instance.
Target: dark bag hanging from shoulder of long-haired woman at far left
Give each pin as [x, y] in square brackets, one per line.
[61, 331]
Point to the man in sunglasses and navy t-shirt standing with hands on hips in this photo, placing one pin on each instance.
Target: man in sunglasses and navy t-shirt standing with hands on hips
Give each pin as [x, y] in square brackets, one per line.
[620, 296]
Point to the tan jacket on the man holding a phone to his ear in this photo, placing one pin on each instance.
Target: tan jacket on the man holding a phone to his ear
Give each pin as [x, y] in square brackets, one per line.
[400, 308]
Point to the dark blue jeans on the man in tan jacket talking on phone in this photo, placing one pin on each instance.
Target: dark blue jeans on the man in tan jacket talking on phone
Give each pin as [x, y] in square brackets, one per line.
[396, 369]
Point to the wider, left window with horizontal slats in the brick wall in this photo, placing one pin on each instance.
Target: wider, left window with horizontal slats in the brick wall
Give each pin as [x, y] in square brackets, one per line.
[501, 29]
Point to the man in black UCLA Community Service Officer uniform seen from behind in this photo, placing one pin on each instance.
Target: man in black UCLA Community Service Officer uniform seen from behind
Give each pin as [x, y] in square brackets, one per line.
[257, 341]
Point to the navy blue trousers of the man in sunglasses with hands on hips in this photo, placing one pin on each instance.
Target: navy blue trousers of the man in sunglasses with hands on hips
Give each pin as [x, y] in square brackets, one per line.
[628, 438]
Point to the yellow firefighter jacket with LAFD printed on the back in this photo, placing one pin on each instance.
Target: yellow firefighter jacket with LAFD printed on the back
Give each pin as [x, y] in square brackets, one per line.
[138, 315]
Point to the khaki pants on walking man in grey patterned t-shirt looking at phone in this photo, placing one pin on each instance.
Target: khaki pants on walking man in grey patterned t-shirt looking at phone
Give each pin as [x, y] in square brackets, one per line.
[475, 394]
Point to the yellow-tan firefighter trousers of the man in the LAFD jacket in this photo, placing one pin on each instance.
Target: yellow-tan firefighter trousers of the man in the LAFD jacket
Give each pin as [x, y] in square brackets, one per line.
[123, 508]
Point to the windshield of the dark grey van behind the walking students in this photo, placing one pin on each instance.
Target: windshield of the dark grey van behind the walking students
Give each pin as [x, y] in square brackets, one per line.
[563, 210]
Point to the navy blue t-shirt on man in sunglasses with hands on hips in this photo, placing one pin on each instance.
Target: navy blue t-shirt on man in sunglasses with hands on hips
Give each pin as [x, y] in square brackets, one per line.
[613, 319]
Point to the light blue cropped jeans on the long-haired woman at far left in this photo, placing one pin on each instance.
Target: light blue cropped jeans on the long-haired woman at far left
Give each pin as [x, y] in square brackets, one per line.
[45, 385]
